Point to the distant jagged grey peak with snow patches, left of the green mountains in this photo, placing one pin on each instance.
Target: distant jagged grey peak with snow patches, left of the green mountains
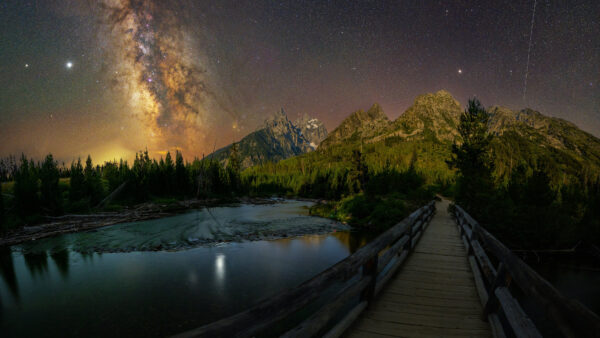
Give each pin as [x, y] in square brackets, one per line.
[278, 139]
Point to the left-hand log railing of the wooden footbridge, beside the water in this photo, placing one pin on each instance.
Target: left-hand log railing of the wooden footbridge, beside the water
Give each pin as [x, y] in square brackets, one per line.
[363, 275]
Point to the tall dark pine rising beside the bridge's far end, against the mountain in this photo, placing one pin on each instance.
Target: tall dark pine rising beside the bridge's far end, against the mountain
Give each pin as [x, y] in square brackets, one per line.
[474, 184]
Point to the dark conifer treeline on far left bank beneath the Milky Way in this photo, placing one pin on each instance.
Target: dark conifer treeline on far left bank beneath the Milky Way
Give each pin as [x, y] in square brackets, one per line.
[42, 189]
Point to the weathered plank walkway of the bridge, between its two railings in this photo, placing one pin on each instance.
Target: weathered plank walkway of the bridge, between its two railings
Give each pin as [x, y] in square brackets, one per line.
[432, 295]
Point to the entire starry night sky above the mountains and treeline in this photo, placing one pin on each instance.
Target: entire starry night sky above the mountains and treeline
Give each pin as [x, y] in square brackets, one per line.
[109, 77]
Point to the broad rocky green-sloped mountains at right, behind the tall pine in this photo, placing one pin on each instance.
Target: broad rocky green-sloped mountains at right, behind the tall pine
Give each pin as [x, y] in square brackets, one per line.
[428, 128]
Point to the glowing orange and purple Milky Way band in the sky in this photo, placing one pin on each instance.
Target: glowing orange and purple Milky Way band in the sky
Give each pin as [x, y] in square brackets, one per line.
[158, 67]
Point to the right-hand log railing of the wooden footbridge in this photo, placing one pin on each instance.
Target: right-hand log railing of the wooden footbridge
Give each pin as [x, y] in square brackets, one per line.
[501, 309]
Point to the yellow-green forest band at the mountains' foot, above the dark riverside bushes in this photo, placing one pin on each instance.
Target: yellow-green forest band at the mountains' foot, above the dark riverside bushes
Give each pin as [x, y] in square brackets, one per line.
[340, 171]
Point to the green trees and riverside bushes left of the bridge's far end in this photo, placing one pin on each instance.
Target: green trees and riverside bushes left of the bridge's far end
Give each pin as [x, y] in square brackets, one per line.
[358, 187]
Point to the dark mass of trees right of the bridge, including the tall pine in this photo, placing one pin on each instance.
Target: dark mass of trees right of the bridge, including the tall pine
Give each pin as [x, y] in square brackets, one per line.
[528, 209]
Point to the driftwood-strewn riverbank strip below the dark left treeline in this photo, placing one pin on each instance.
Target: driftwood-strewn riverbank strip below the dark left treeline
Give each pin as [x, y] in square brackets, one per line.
[145, 211]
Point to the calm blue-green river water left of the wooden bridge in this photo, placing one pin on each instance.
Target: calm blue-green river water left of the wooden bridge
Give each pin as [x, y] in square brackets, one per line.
[51, 289]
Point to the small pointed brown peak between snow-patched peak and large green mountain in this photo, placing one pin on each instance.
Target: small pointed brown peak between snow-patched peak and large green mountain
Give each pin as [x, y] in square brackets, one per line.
[359, 125]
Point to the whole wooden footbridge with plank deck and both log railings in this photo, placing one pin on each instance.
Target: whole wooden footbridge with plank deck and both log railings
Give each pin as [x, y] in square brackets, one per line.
[432, 275]
